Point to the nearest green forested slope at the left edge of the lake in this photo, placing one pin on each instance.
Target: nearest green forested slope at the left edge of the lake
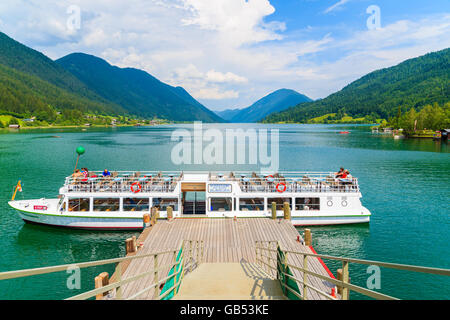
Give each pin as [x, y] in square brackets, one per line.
[30, 81]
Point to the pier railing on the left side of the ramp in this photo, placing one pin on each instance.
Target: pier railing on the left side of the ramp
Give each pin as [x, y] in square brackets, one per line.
[184, 259]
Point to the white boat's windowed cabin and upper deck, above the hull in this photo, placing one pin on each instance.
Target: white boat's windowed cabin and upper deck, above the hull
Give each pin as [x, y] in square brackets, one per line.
[210, 194]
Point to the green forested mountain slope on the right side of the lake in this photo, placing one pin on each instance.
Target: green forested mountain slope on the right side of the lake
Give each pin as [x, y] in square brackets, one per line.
[413, 83]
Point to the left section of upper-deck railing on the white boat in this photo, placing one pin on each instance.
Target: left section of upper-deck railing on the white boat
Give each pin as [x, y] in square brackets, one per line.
[124, 182]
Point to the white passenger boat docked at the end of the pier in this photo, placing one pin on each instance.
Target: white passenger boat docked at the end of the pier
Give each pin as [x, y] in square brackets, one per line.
[119, 201]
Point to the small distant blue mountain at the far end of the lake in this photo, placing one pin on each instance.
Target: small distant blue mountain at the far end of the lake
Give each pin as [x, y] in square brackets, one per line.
[276, 101]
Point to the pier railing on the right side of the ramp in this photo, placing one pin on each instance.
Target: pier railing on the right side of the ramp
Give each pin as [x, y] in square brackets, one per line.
[271, 256]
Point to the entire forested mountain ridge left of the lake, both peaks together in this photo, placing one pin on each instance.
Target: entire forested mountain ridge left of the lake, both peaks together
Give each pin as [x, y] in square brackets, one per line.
[33, 84]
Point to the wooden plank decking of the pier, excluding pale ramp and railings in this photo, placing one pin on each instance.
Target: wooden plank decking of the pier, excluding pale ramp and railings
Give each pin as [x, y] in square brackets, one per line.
[225, 241]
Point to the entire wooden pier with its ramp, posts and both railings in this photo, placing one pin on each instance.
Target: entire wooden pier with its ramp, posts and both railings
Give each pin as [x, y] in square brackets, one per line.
[223, 259]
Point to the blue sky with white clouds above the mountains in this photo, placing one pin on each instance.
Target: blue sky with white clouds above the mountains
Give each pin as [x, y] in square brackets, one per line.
[230, 53]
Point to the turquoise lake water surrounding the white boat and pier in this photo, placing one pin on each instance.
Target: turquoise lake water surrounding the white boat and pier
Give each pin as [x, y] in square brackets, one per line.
[405, 184]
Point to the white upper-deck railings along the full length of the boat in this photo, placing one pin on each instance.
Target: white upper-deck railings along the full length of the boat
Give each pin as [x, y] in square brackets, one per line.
[166, 182]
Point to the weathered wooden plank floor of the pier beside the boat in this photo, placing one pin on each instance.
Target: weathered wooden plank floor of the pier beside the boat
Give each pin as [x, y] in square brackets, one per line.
[225, 240]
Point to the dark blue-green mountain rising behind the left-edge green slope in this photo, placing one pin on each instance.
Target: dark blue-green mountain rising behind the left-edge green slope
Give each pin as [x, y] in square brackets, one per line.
[135, 90]
